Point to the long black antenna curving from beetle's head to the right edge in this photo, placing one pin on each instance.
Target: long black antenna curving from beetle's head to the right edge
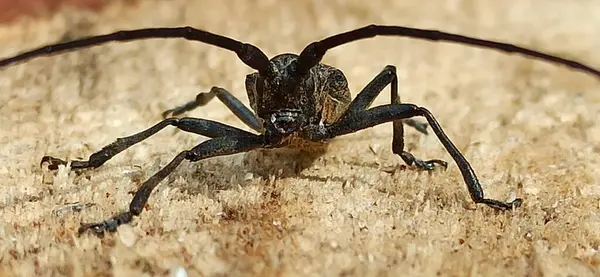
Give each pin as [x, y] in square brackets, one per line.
[314, 52]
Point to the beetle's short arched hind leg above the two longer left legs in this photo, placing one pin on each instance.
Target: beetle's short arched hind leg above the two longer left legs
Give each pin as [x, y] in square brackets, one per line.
[235, 105]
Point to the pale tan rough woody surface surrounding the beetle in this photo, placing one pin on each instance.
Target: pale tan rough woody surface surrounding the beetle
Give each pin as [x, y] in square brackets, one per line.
[520, 123]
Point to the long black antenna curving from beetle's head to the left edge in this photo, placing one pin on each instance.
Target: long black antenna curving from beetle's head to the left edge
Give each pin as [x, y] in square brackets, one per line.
[248, 53]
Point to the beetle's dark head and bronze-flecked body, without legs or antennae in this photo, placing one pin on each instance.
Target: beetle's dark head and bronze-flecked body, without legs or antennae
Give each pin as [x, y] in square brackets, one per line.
[287, 102]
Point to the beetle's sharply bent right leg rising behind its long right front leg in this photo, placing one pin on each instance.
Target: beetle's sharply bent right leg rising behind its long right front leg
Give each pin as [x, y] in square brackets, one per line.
[366, 97]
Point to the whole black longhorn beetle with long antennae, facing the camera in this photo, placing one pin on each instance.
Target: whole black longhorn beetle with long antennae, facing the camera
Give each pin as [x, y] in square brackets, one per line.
[296, 101]
